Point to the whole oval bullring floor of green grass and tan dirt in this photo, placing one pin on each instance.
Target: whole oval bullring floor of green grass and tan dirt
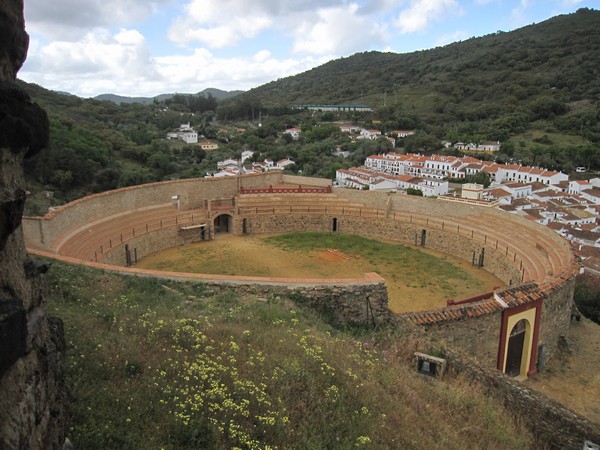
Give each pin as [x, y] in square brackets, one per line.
[417, 279]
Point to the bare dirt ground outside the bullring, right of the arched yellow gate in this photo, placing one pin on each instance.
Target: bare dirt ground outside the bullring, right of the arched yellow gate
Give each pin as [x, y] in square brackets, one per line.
[574, 379]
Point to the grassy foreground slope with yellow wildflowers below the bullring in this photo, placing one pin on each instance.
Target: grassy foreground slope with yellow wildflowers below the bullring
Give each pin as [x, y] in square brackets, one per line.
[157, 364]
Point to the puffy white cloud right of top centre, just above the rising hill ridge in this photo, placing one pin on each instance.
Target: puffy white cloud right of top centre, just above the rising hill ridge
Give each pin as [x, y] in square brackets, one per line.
[337, 30]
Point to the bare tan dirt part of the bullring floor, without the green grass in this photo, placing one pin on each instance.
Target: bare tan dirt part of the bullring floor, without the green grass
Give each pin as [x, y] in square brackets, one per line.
[409, 289]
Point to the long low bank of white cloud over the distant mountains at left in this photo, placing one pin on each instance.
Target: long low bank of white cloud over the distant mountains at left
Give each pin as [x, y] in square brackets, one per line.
[120, 63]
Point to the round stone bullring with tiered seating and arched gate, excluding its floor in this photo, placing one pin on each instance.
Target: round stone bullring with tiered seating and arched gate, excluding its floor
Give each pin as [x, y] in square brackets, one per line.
[513, 329]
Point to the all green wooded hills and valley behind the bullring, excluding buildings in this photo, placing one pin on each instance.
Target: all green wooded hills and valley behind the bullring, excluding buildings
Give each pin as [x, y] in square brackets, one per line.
[536, 89]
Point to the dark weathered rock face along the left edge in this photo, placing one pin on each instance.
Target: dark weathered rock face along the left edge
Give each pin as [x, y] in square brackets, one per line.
[32, 390]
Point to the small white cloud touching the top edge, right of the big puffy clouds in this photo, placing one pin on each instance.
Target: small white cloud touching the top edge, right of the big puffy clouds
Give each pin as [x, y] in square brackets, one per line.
[422, 13]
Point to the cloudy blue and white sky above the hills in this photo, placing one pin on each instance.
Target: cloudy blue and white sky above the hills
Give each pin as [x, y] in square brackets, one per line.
[149, 47]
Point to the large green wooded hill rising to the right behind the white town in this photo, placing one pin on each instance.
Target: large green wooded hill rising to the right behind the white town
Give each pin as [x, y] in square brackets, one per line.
[502, 82]
